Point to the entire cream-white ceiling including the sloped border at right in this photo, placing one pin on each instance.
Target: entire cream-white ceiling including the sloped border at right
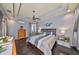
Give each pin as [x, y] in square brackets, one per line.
[43, 10]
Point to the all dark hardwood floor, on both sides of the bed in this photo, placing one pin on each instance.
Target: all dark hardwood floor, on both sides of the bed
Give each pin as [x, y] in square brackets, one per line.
[23, 48]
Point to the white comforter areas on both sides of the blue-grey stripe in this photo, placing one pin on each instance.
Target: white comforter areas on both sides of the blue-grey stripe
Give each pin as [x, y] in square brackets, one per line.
[45, 44]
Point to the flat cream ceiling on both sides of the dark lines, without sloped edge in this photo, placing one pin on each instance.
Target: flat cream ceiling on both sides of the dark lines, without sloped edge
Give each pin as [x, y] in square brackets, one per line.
[26, 9]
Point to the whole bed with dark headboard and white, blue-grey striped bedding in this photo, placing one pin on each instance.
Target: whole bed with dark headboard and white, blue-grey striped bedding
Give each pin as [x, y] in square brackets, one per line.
[44, 41]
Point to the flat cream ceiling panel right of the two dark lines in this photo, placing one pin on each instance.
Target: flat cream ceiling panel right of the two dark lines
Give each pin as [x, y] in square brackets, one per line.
[40, 9]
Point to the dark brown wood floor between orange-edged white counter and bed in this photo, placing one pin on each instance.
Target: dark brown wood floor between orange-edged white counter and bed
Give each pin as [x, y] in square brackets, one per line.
[23, 48]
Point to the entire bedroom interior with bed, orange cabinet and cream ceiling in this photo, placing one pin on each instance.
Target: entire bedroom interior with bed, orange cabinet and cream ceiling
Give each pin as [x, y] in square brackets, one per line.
[48, 28]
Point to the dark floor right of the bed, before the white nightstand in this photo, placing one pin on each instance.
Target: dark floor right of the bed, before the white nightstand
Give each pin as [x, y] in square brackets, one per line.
[61, 50]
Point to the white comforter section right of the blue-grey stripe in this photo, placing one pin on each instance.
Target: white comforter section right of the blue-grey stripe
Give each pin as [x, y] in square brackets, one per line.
[45, 45]
